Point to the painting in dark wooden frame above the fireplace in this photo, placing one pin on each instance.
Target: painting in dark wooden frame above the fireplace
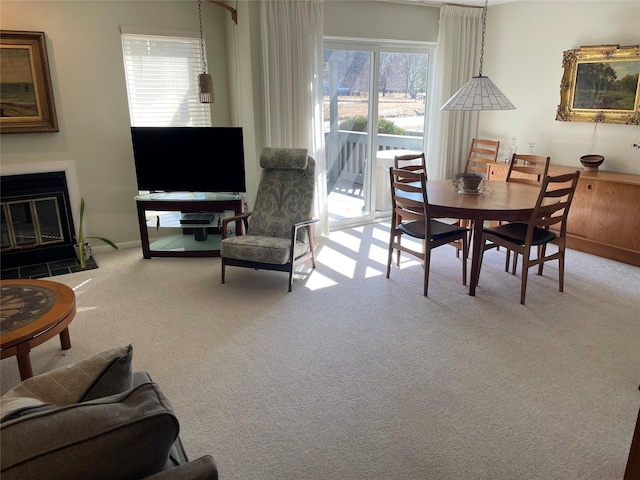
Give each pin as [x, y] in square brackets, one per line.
[26, 96]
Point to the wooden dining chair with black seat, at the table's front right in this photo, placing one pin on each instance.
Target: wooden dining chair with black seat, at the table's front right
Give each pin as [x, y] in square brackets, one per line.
[552, 208]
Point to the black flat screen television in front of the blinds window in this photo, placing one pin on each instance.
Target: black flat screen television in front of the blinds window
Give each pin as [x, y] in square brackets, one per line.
[189, 159]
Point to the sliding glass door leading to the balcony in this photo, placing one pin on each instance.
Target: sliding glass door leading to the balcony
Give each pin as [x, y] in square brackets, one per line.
[374, 107]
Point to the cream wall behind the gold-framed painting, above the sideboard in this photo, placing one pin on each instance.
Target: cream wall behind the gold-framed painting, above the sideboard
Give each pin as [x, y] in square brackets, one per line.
[523, 57]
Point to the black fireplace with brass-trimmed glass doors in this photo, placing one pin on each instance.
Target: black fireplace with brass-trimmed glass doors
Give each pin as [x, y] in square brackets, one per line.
[37, 221]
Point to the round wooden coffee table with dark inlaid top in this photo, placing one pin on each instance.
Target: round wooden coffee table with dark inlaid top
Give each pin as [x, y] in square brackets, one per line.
[32, 312]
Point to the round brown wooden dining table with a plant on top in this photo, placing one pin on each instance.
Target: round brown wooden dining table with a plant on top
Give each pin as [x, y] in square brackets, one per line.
[506, 201]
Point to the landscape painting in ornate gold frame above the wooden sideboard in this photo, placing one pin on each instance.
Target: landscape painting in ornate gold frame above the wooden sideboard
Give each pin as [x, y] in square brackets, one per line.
[600, 84]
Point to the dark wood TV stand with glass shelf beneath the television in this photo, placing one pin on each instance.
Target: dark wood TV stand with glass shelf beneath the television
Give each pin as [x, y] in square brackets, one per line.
[195, 240]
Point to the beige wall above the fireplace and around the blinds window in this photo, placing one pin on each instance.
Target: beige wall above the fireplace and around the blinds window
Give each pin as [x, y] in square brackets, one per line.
[85, 56]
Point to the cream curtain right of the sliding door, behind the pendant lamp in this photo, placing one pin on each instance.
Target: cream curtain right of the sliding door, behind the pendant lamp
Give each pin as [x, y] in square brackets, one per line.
[457, 60]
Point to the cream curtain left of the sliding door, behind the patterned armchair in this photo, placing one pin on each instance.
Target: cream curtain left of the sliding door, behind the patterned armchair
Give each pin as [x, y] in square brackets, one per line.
[292, 56]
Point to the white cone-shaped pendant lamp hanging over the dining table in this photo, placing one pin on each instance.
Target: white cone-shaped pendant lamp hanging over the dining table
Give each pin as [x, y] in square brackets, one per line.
[479, 93]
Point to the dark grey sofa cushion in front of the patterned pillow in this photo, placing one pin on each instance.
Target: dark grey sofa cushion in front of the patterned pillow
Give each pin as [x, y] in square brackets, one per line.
[123, 436]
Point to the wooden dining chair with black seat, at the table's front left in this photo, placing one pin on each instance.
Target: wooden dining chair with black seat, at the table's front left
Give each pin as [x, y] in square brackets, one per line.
[410, 216]
